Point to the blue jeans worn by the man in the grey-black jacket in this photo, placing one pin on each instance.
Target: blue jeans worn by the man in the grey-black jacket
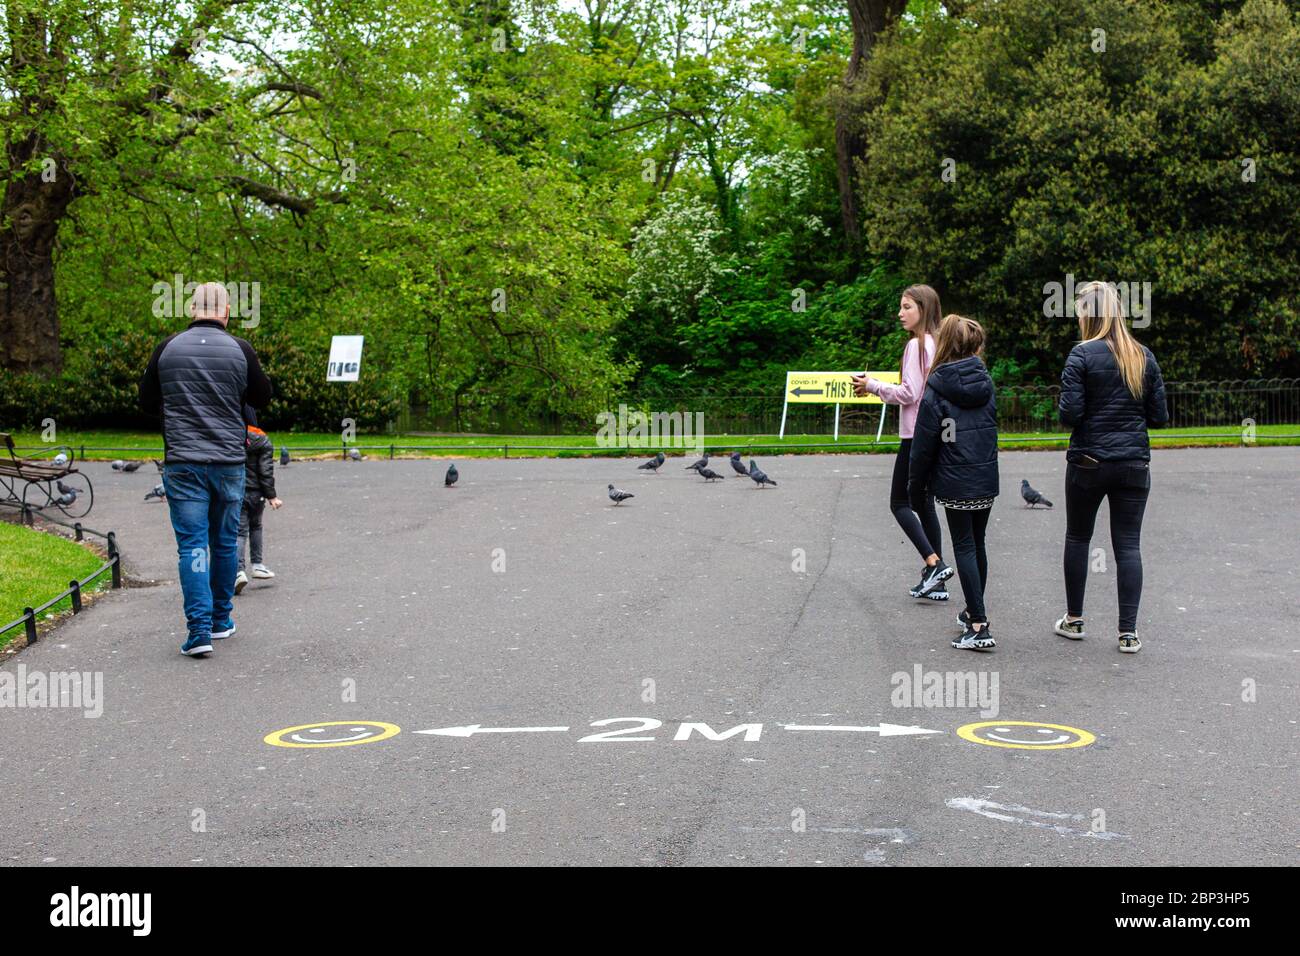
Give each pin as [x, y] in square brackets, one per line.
[205, 501]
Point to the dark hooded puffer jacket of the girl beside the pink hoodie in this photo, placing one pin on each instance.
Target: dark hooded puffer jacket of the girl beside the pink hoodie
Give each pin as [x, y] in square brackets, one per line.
[955, 447]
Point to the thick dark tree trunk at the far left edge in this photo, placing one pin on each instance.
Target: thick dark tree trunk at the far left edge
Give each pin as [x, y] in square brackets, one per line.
[33, 210]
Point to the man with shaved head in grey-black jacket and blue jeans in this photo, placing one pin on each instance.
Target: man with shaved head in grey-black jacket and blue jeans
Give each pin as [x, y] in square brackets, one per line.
[200, 380]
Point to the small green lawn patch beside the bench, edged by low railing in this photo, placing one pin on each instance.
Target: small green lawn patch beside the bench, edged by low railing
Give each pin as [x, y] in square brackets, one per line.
[36, 566]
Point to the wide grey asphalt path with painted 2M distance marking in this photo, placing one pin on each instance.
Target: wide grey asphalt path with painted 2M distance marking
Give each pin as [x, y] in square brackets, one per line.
[522, 599]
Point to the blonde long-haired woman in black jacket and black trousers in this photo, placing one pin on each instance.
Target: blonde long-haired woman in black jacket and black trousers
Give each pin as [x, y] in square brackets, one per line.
[1112, 392]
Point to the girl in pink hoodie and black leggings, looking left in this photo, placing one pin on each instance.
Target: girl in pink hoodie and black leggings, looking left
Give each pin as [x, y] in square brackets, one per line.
[920, 314]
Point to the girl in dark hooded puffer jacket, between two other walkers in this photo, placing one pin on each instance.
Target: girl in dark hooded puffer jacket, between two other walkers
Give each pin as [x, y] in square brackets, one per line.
[955, 457]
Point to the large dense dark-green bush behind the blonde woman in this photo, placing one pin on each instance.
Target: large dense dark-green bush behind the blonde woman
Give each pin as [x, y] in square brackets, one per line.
[1104, 140]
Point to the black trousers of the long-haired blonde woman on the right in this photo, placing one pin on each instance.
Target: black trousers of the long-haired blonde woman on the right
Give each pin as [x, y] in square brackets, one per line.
[1128, 485]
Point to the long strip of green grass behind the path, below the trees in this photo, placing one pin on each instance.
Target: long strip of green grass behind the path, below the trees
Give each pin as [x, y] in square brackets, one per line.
[310, 445]
